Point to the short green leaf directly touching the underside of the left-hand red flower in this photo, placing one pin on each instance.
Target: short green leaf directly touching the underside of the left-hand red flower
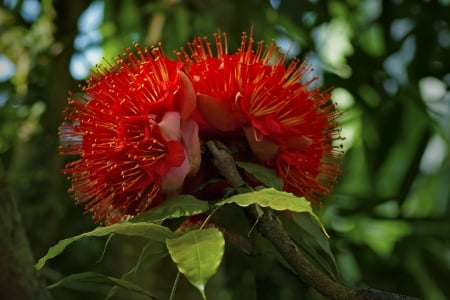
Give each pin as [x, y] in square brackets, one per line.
[179, 206]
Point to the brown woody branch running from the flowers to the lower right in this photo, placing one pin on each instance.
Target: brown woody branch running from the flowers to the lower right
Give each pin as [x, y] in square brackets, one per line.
[271, 228]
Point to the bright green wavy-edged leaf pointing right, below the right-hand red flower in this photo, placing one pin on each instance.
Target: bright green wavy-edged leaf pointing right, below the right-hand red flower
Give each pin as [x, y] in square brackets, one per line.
[274, 199]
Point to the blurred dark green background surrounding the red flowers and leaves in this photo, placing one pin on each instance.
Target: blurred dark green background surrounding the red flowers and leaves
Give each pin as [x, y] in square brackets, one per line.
[389, 64]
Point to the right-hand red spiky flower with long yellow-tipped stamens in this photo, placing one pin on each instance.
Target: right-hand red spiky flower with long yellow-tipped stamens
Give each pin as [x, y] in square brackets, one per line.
[288, 124]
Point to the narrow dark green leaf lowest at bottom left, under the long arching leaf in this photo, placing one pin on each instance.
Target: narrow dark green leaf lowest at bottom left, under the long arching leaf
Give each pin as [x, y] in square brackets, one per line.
[100, 278]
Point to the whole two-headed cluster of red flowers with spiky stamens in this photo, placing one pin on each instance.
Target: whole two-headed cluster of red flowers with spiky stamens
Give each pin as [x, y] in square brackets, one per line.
[138, 125]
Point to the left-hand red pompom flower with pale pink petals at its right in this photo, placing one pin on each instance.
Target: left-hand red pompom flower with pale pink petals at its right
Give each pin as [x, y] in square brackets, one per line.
[132, 131]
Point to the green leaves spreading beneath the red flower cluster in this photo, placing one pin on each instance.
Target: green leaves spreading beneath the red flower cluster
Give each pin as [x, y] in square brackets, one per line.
[196, 252]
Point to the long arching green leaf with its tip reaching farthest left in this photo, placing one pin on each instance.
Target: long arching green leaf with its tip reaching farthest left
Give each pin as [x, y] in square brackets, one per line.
[146, 230]
